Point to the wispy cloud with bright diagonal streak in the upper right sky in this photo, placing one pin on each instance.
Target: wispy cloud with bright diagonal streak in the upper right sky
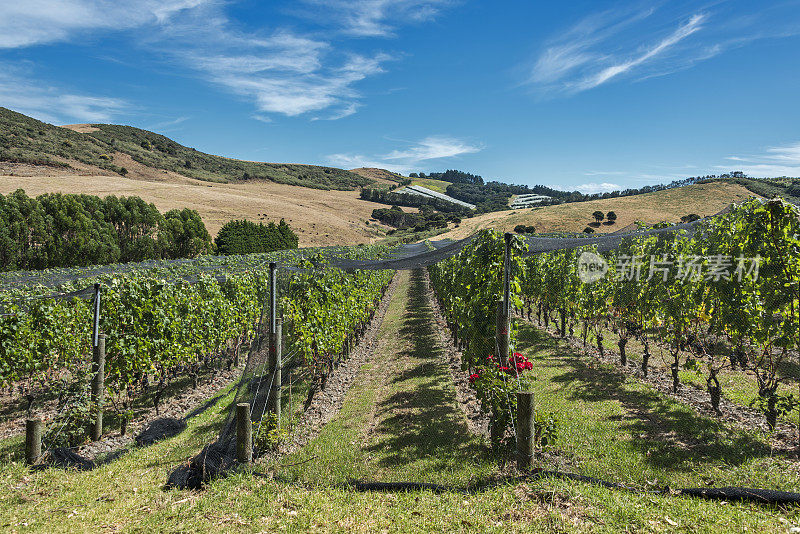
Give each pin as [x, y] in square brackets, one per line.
[642, 42]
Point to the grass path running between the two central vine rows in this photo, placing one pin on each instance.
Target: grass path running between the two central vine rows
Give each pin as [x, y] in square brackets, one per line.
[400, 420]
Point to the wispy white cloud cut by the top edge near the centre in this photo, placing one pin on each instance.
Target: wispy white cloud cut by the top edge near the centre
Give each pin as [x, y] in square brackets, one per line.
[374, 18]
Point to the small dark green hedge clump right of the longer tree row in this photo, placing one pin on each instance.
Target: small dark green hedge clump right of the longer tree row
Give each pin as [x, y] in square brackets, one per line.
[246, 237]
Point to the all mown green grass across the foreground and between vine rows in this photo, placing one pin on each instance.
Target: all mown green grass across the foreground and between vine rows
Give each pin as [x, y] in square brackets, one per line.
[400, 422]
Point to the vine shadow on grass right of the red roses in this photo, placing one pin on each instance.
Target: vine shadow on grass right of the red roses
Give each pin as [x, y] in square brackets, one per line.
[669, 435]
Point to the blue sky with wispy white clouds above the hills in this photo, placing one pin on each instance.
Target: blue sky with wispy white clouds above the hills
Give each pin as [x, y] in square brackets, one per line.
[589, 95]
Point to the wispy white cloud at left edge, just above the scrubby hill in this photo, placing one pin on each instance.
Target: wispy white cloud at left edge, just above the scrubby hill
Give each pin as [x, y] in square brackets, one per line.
[54, 104]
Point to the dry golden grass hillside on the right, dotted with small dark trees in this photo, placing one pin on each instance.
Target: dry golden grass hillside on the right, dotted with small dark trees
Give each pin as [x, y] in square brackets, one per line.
[669, 205]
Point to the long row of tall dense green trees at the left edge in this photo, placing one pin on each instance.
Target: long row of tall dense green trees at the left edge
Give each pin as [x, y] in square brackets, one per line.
[58, 230]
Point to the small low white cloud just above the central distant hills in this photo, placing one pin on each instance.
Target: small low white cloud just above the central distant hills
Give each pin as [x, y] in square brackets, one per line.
[410, 158]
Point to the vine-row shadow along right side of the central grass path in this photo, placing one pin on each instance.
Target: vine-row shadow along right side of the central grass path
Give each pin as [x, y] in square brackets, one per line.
[423, 422]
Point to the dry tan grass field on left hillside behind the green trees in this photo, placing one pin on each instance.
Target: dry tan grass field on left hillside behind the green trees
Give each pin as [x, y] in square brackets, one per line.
[319, 217]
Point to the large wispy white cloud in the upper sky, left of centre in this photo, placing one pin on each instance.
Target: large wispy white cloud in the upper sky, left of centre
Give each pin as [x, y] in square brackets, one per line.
[281, 72]
